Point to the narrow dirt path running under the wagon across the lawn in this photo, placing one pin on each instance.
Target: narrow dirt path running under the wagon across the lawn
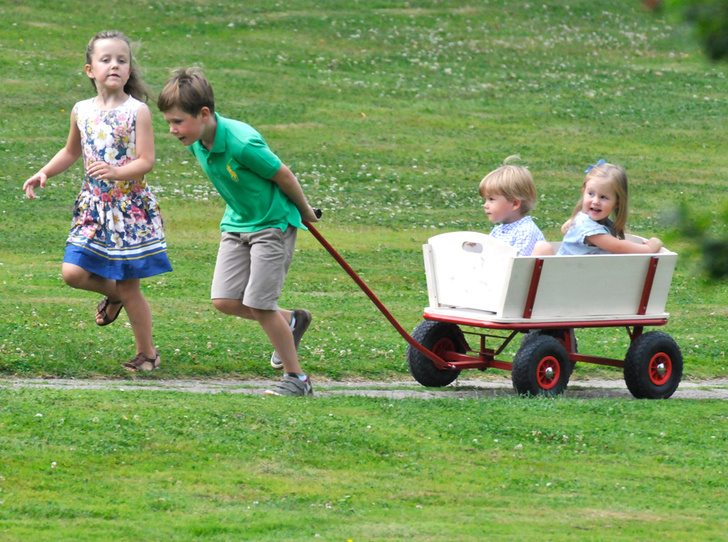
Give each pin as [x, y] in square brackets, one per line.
[587, 389]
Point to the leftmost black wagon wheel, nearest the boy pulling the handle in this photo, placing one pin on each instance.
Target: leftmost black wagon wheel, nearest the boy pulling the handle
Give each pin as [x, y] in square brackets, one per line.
[439, 338]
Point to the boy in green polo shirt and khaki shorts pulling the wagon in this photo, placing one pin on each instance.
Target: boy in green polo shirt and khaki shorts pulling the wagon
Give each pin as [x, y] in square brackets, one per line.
[265, 208]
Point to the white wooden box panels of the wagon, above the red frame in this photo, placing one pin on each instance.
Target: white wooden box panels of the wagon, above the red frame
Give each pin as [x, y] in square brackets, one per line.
[496, 281]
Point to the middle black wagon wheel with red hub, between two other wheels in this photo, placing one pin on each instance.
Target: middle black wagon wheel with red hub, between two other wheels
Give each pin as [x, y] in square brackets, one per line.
[541, 367]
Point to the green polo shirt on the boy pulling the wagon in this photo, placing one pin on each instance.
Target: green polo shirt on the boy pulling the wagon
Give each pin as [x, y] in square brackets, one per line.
[240, 166]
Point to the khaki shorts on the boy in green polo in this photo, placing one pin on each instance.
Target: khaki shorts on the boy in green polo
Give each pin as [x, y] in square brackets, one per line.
[252, 266]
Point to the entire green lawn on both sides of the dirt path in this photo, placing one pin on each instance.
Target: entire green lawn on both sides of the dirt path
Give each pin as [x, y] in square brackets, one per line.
[390, 114]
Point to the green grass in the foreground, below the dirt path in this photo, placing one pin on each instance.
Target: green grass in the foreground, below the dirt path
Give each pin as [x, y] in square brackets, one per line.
[150, 466]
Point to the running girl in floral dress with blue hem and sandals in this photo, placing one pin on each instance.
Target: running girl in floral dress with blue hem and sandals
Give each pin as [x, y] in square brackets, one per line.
[116, 236]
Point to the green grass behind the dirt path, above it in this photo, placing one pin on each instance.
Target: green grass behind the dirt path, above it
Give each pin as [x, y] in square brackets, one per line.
[390, 116]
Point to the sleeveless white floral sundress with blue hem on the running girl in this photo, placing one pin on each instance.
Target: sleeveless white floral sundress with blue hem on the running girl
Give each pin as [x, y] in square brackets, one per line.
[117, 229]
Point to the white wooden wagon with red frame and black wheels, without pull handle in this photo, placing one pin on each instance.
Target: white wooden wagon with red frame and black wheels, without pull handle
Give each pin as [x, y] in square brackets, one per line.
[475, 281]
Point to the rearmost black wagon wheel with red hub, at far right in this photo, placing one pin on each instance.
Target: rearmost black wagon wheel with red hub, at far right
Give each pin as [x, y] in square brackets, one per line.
[653, 366]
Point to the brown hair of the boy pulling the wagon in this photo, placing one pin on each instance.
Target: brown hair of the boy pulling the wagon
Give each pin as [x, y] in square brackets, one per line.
[189, 90]
